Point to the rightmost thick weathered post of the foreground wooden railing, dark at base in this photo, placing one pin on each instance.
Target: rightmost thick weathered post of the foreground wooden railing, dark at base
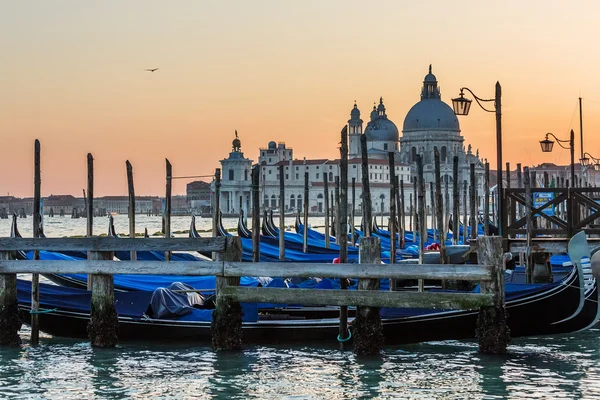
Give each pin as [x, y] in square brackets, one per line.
[492, 333]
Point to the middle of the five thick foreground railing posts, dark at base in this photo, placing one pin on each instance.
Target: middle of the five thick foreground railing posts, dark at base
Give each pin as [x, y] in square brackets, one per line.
[226, 325]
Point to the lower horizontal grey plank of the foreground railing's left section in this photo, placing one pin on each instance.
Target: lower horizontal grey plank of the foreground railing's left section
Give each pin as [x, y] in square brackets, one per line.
[112, 267]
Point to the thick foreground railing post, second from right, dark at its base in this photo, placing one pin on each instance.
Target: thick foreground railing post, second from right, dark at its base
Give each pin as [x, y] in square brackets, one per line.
[366, 327]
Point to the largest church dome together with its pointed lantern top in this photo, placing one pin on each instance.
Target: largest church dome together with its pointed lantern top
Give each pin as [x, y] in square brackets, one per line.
[431, 113]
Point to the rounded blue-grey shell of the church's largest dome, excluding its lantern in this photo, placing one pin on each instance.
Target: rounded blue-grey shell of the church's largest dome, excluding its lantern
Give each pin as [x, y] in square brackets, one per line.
[431, 114]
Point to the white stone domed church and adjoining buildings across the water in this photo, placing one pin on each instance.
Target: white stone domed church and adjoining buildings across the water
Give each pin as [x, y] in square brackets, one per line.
[430, 123]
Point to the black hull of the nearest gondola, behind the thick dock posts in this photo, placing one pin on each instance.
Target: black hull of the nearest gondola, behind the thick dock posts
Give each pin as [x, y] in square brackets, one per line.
[529, 314]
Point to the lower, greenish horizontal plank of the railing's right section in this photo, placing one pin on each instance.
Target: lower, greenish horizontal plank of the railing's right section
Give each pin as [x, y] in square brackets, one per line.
[369, 298]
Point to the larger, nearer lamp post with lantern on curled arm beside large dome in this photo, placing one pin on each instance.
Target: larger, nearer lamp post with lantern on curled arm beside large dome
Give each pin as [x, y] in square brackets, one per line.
[461, 106]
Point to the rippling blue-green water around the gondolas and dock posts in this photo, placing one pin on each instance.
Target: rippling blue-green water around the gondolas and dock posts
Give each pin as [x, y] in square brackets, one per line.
[557, 367]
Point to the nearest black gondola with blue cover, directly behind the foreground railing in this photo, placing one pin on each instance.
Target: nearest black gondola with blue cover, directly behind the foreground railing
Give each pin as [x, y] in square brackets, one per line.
[532, 309]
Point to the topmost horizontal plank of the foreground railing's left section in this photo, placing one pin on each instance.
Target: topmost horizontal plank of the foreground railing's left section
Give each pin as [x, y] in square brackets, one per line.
[113, 244]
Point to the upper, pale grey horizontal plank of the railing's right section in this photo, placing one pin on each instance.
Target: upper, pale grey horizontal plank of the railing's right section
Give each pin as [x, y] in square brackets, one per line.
[376, 271]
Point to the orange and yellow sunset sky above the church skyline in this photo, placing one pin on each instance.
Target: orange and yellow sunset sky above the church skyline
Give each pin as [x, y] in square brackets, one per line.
[72, 75]
